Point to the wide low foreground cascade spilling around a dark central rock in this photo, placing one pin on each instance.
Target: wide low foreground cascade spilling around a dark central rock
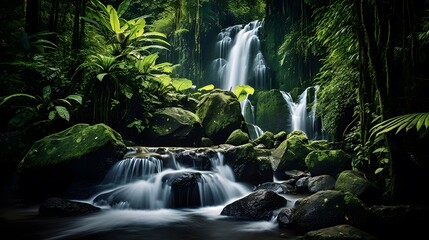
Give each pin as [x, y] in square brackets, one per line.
[142, 182]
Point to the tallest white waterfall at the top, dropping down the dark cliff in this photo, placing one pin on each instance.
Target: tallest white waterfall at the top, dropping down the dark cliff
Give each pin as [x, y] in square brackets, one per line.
[239, 59]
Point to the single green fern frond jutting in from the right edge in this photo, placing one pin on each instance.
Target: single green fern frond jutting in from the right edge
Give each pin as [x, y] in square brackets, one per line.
[402, 122]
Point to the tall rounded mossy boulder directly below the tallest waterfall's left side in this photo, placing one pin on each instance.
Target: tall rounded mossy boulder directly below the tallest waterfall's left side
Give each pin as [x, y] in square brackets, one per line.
[220, 115]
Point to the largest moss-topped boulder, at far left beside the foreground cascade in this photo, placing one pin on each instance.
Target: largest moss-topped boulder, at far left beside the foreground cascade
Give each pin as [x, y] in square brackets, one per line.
[68, 163]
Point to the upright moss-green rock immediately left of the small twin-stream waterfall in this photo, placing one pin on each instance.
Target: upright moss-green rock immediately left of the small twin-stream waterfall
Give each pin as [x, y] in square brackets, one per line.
[272, 112]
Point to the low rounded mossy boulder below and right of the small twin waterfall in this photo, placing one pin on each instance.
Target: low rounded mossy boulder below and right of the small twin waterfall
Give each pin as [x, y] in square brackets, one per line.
[330, 162]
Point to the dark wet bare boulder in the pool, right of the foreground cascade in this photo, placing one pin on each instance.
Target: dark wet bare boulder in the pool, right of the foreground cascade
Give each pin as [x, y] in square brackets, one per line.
[258, 205]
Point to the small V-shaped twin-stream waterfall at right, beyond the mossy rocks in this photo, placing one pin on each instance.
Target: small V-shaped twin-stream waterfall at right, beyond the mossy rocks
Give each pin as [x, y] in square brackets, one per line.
[301, 118]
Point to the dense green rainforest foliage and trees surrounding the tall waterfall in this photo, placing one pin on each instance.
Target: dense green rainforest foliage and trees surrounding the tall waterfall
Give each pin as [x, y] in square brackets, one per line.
[115, 62]
